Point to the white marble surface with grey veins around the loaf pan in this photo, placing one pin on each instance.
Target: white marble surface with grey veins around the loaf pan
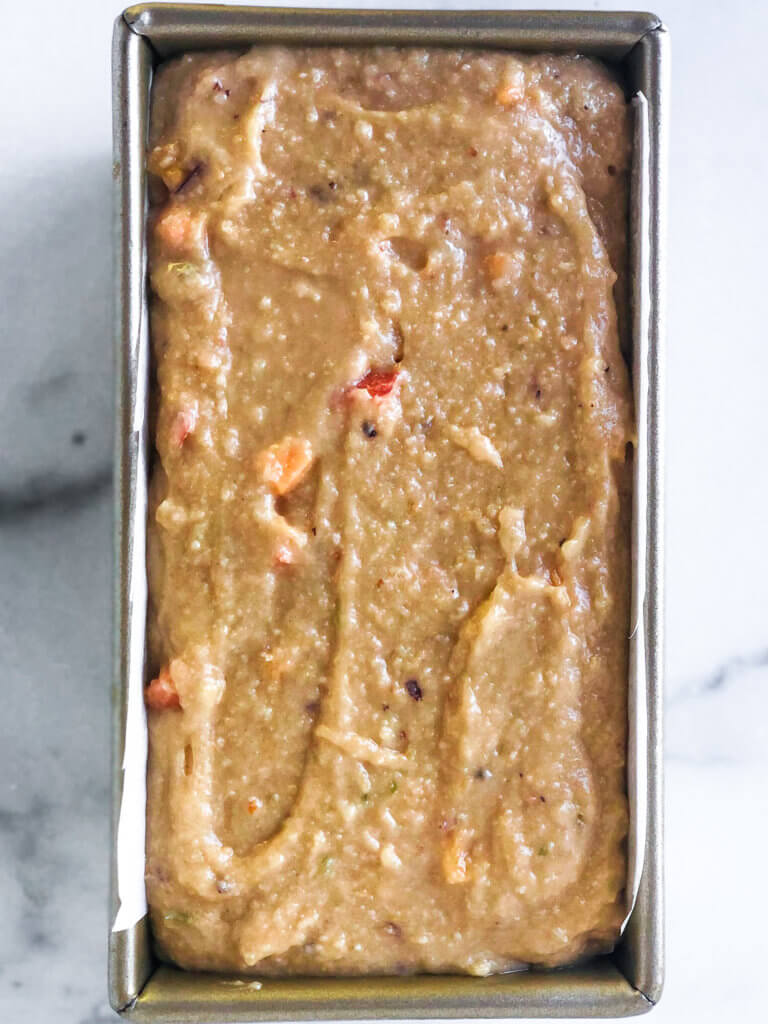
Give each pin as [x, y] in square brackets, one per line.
[56, 397]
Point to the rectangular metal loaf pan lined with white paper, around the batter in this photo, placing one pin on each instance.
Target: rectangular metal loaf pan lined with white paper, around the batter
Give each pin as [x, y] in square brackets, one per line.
[624, 984]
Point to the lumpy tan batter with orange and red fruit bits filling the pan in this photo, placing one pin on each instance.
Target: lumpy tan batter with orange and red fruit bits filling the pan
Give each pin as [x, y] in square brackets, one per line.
[390, 570]
